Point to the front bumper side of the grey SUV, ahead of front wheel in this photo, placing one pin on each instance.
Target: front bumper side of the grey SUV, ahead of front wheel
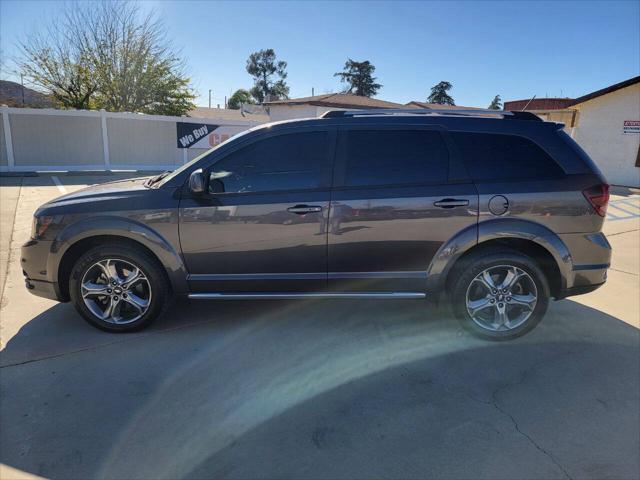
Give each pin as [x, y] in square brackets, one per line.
[38, 280]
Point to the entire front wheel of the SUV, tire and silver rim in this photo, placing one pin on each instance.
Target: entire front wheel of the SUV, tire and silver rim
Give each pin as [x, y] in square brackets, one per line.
[136, 298]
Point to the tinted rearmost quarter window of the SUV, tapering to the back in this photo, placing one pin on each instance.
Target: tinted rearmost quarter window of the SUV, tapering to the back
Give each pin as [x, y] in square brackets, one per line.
[504, 157]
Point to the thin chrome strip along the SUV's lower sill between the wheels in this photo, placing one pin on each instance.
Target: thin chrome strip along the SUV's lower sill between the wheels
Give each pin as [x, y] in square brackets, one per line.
[295, 295]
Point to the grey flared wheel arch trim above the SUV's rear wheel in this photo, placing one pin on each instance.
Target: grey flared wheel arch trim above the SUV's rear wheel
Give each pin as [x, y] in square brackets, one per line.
[494, 229]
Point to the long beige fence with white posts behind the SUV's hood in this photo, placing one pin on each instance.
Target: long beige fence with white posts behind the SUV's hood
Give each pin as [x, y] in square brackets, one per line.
[34, 139]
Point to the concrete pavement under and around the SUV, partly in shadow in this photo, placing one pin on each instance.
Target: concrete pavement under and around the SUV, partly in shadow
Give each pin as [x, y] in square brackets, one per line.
[318, 389]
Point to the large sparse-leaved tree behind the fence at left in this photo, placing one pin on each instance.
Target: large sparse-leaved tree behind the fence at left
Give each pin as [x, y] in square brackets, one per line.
[120, 59]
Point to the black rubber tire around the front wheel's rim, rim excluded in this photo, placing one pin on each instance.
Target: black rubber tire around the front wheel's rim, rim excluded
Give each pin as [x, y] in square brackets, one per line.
[137, 257]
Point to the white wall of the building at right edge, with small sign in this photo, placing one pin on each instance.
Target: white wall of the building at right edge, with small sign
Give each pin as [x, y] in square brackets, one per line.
[599, 132]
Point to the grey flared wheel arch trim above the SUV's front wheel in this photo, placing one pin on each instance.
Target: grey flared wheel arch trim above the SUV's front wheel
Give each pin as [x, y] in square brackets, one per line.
[106, 225]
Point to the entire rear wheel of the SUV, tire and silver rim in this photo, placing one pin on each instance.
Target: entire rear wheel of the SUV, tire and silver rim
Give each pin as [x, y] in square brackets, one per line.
[470, 284]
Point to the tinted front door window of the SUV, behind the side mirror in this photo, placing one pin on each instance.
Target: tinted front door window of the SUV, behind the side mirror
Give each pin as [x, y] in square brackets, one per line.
[286, 162]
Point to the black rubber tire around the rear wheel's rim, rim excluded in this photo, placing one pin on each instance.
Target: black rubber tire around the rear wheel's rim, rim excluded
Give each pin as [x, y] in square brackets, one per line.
[477, 264]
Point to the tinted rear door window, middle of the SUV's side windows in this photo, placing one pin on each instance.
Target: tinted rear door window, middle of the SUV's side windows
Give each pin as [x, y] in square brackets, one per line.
[390, 157]
